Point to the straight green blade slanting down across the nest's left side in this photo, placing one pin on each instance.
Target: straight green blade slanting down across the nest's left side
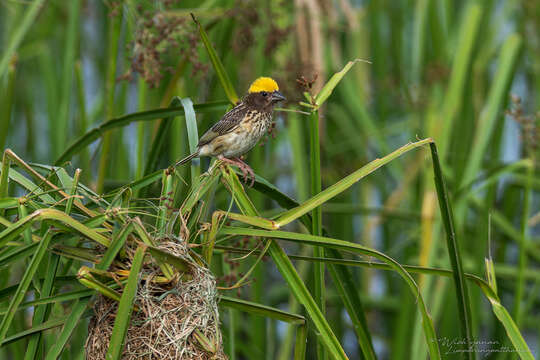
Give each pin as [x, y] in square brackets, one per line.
[125, 308]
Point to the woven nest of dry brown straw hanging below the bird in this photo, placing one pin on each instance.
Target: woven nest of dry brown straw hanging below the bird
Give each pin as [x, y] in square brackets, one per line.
[176, 320]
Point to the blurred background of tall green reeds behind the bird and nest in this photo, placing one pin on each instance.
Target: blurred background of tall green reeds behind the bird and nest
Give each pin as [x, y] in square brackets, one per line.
[464, 72]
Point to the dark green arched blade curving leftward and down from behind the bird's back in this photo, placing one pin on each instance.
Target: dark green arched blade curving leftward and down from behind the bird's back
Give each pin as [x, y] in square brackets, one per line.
[125, 120]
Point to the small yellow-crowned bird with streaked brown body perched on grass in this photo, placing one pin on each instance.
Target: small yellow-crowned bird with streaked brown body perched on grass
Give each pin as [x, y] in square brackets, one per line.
[241, 128]
